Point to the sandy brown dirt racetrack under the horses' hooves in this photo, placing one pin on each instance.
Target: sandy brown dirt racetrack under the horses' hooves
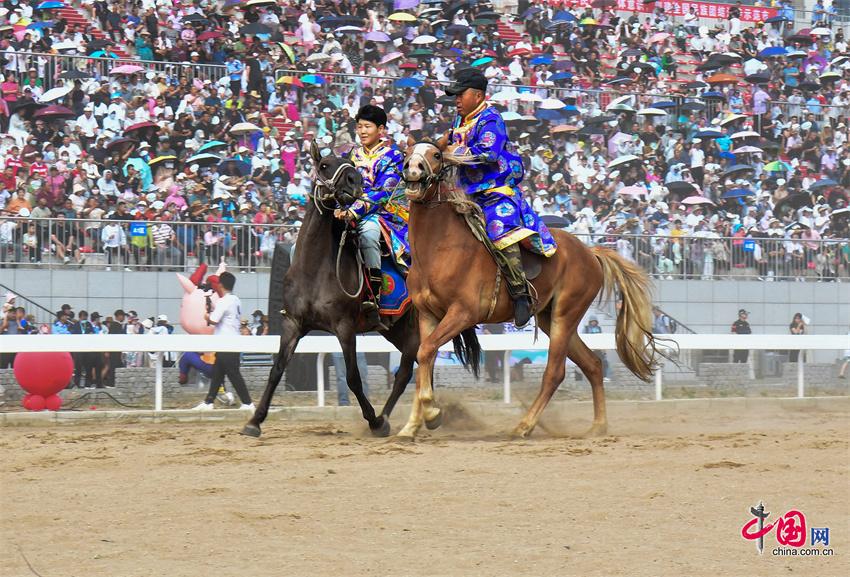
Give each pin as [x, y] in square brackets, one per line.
[665, 494]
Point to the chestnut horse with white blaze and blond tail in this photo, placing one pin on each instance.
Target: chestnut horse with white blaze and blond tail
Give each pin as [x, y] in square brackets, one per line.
[454, 284]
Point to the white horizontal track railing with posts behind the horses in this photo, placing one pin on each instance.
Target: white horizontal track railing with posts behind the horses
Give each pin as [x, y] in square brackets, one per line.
[322, 345]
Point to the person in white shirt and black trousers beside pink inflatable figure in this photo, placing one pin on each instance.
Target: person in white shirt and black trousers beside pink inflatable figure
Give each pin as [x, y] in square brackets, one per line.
[226, 319]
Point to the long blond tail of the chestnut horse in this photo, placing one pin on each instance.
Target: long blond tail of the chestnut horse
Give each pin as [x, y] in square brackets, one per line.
[636, 344]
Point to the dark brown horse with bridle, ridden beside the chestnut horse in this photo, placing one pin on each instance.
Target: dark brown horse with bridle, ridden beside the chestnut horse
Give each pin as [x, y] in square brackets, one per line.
[314, 300]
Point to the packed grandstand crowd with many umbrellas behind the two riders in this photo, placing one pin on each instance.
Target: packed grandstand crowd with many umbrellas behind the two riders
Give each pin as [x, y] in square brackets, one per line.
[643, 128]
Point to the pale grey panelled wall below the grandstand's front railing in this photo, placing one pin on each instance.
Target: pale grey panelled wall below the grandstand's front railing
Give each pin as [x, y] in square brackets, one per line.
[705, 306]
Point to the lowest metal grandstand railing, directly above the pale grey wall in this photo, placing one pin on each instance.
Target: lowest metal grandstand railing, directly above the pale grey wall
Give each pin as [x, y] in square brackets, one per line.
[250, 247]
